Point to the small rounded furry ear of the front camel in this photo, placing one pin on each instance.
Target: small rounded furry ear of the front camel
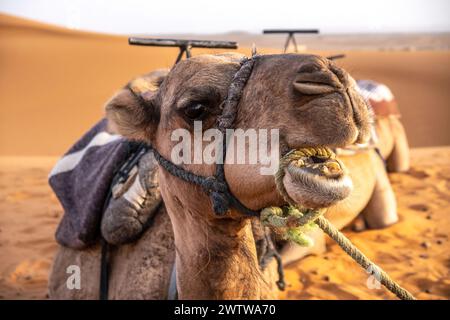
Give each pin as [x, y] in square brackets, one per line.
[132, 112]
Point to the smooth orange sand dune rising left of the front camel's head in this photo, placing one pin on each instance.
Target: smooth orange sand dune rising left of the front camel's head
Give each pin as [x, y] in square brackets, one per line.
[54, 82]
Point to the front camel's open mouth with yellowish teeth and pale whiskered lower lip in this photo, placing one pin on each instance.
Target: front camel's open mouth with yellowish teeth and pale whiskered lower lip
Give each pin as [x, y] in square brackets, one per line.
[315, 178]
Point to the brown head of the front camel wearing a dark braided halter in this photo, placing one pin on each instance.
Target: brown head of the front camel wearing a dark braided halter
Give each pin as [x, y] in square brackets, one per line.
[308, 99]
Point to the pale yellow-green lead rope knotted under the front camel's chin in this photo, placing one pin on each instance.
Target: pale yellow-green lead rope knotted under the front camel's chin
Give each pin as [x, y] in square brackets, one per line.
[292, 223]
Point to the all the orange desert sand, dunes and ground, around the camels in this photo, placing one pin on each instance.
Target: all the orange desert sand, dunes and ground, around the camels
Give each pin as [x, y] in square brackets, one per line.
[55, 81]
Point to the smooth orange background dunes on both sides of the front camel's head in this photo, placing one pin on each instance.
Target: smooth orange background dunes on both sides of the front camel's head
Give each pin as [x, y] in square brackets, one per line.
[54, 82]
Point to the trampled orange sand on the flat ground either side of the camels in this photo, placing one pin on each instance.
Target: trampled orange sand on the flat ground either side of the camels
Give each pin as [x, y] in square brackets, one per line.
[415, 252]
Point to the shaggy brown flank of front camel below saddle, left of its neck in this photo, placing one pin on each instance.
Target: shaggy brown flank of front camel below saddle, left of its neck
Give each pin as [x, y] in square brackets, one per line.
[140, 270]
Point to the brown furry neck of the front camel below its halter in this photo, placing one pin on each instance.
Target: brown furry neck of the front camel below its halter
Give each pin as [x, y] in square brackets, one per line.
[215, 258]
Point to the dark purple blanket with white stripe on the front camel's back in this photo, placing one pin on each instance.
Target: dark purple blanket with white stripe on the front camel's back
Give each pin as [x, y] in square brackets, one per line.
[81, 180]
